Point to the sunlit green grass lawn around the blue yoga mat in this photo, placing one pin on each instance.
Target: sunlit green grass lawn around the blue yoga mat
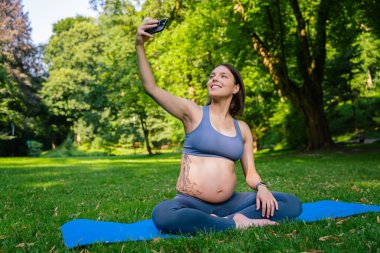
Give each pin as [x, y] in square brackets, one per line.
[38, 195]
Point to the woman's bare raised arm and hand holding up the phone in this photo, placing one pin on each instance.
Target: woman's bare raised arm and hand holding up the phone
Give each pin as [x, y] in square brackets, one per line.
[178, 107]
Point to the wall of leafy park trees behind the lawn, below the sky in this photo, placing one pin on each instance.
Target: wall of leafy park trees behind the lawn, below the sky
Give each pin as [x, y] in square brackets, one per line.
[311, 71]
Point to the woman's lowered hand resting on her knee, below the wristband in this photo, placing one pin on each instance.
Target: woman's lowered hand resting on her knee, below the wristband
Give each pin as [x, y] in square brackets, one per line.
[266, 201]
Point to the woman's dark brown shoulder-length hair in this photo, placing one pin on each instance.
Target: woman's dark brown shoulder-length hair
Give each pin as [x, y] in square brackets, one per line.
[238, 99]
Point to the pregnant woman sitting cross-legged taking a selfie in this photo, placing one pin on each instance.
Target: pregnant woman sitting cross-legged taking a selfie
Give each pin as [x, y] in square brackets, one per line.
[206, 199]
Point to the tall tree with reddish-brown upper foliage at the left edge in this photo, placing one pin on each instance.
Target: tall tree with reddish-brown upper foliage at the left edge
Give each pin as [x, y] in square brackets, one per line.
[20, 108]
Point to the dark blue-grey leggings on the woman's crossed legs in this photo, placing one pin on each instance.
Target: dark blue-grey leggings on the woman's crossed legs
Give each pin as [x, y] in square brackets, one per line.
[187, 214]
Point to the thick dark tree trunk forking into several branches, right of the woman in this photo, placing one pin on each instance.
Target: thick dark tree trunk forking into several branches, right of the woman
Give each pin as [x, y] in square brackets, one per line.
[308, 97]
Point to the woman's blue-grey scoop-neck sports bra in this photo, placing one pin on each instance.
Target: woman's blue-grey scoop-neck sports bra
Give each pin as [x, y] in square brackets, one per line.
[204, 140]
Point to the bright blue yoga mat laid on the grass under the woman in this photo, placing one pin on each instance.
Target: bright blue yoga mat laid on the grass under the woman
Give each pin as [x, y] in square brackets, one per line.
[82, 232]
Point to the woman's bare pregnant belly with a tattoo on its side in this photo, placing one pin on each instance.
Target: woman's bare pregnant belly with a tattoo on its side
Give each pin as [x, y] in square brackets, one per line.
[211, 179]
